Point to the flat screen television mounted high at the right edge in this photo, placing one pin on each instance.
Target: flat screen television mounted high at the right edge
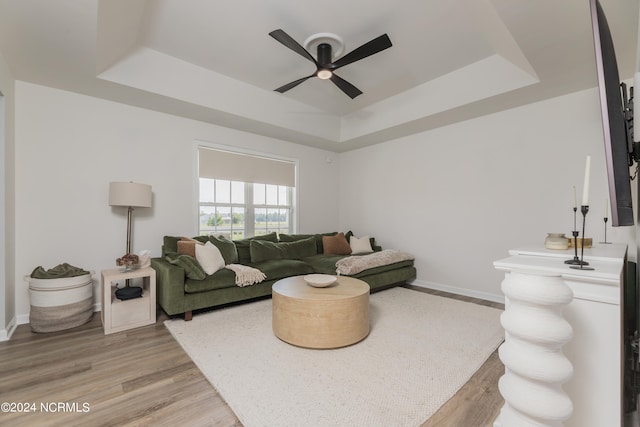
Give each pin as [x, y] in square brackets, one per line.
[617, 120]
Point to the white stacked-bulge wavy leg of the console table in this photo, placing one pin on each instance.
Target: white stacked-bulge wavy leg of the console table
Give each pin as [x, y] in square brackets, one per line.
[535, 367]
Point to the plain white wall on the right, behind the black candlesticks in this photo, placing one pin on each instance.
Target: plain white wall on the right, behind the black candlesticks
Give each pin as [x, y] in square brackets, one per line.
[460, 197]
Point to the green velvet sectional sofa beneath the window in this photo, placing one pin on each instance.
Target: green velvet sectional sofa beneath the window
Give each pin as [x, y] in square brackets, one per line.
[183, 288]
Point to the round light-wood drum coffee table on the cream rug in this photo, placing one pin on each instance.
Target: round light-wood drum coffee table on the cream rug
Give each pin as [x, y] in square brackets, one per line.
[331, 317]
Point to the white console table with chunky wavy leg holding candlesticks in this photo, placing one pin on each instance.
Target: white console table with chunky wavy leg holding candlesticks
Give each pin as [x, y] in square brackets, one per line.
[578, 382]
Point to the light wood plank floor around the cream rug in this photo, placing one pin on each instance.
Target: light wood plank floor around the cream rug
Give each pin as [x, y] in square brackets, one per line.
[143, 377]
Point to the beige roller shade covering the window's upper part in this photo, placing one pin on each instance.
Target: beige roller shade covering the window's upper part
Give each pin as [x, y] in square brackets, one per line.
[219, 164]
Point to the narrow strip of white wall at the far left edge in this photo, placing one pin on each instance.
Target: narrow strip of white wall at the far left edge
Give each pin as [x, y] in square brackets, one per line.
[7, 284]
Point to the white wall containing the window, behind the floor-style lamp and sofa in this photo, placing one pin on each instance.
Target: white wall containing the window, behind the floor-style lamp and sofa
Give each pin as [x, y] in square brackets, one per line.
[69, 147]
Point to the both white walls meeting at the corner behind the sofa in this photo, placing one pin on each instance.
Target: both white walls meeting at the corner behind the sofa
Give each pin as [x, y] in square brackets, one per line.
[456, 197]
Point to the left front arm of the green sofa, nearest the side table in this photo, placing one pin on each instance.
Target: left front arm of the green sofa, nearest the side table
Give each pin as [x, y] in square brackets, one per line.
[169, 286]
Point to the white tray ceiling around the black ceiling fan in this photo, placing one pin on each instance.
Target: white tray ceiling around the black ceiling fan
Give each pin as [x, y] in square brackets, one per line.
[451, 60]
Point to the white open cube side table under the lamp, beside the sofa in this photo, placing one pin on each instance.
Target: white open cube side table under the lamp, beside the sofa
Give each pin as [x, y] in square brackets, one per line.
[120, 315]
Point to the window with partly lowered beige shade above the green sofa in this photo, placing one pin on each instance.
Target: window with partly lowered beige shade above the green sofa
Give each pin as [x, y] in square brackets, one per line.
[240, 208]
